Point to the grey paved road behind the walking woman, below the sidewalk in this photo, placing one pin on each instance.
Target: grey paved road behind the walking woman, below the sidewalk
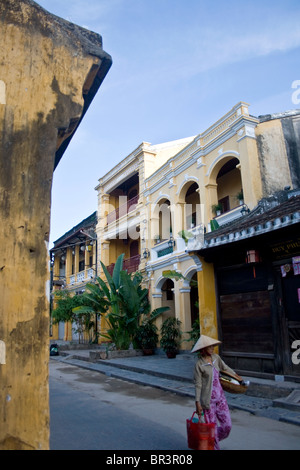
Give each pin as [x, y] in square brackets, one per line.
[91, 411]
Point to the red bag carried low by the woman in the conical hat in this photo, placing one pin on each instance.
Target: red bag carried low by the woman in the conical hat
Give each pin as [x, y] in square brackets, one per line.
[200, 436]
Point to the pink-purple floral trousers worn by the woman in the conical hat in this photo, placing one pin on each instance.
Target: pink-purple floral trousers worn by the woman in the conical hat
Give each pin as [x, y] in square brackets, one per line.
[219, 412]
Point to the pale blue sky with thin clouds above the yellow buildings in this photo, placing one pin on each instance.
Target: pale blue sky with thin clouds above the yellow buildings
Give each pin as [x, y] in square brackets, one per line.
[178, 67]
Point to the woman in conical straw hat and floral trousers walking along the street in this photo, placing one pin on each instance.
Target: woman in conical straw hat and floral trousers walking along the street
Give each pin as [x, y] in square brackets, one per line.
[210, 397]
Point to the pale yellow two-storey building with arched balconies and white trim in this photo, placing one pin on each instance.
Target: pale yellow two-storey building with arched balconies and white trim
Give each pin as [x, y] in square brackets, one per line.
[210, 174]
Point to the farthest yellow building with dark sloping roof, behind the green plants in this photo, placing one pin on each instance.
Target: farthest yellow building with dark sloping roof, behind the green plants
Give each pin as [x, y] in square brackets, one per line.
[73, 264]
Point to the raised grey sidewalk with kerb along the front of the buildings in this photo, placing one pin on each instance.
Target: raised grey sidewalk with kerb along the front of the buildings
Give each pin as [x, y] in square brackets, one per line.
[277, 400]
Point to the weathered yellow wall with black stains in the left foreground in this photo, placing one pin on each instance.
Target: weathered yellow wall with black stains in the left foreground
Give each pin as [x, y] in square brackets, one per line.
[44, 64]
